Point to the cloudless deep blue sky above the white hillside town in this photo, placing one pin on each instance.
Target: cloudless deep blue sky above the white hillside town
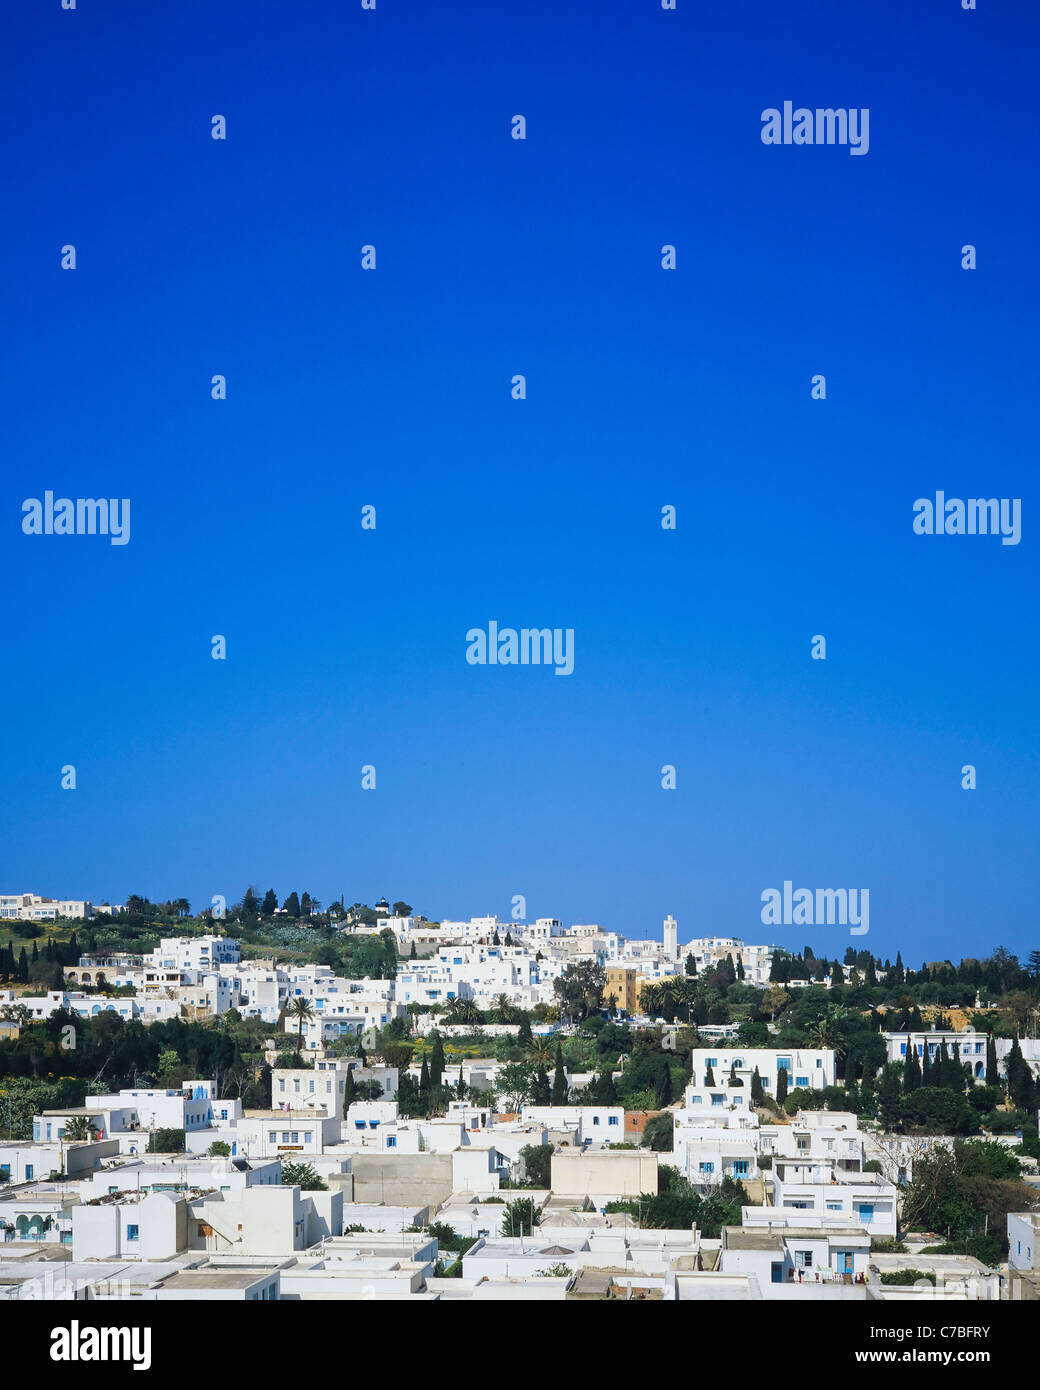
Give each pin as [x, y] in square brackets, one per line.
[393, 389]
